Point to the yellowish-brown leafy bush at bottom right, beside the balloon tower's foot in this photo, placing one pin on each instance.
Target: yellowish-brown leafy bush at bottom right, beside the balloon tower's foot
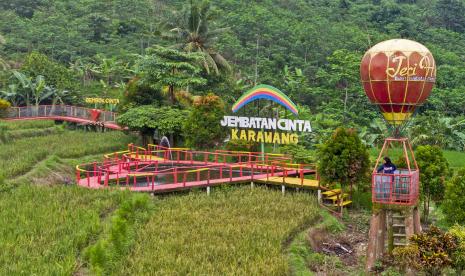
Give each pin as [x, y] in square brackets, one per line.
[430, 251]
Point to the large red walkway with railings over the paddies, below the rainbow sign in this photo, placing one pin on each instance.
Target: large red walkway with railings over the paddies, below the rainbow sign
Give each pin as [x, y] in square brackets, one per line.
[137, 165]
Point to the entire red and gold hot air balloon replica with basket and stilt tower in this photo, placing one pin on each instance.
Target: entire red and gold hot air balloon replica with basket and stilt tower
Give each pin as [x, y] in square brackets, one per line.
[397, 76]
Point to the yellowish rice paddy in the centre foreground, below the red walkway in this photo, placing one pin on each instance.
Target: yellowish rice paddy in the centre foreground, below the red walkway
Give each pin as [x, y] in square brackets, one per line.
[234, 231]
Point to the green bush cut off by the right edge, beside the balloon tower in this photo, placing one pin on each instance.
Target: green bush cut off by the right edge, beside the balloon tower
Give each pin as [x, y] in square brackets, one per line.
[454, 198]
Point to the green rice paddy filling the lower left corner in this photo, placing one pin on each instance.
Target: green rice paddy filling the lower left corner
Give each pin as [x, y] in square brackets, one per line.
[44, 228]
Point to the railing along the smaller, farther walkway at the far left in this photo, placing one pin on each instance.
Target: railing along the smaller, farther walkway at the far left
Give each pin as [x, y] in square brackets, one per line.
[43, 111]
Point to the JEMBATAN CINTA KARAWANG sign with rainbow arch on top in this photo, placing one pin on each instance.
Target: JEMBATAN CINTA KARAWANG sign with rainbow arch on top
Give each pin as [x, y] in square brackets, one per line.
[265, 130]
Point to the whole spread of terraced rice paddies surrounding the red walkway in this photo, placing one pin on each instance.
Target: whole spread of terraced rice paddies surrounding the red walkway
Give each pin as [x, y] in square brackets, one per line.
[49, 226]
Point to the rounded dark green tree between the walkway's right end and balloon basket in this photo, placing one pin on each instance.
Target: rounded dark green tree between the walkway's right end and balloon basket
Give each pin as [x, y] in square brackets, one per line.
[343, 158]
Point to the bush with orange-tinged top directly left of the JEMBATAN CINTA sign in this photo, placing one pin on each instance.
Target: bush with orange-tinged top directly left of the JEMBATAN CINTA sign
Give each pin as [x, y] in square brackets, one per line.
[202, 128]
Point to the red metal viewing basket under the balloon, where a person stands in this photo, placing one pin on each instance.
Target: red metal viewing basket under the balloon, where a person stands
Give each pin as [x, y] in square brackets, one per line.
[402, 186]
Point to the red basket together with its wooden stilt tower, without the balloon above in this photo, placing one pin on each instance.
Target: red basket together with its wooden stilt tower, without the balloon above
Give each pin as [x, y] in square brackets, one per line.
[395, 215]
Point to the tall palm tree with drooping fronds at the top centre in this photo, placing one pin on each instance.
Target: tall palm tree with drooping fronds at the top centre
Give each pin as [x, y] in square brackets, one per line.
[194, 35]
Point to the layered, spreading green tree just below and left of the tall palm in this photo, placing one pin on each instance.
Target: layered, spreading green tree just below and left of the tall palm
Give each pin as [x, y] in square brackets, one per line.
[169, 71]
